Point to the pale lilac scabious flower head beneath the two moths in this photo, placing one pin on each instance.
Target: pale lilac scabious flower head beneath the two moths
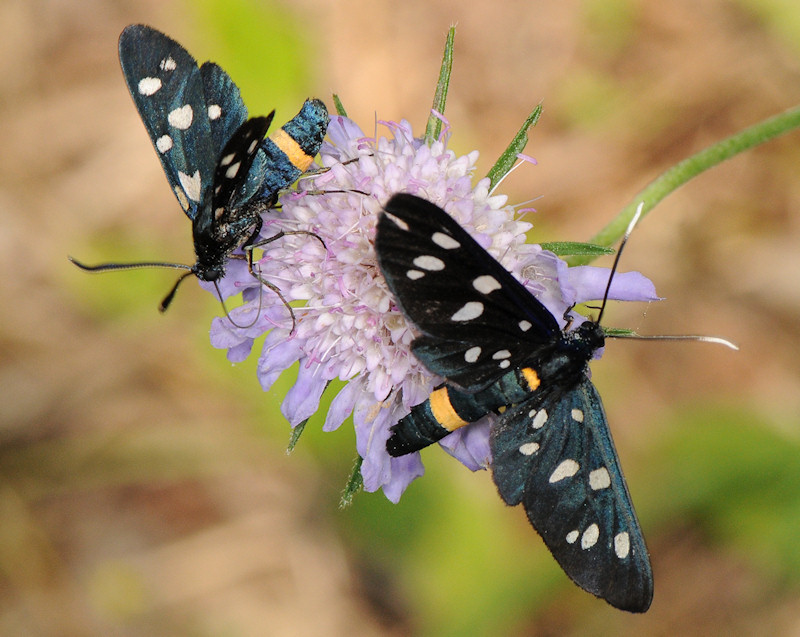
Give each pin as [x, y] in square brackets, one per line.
[348, 325]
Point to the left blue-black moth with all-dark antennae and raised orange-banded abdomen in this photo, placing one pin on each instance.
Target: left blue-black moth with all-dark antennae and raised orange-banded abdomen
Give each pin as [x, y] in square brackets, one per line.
[220, 167]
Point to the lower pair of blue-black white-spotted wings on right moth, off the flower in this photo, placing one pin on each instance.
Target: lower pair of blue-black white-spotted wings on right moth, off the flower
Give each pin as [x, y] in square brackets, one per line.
[554, 454]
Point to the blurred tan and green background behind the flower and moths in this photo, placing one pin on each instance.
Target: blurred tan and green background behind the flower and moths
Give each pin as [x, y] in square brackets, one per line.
[144, 488]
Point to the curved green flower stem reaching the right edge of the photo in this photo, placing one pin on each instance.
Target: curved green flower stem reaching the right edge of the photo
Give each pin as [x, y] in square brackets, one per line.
[679, 174]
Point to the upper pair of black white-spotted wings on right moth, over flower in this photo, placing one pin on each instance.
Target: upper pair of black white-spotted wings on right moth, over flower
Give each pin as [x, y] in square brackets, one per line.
[477, 321]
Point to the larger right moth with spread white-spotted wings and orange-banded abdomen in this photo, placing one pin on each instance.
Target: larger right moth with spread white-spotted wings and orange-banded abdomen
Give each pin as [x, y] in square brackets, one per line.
[499, 349]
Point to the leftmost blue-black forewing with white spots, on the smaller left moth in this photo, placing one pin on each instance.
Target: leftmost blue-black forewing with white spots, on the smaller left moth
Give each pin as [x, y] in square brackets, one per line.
[169, 92]
